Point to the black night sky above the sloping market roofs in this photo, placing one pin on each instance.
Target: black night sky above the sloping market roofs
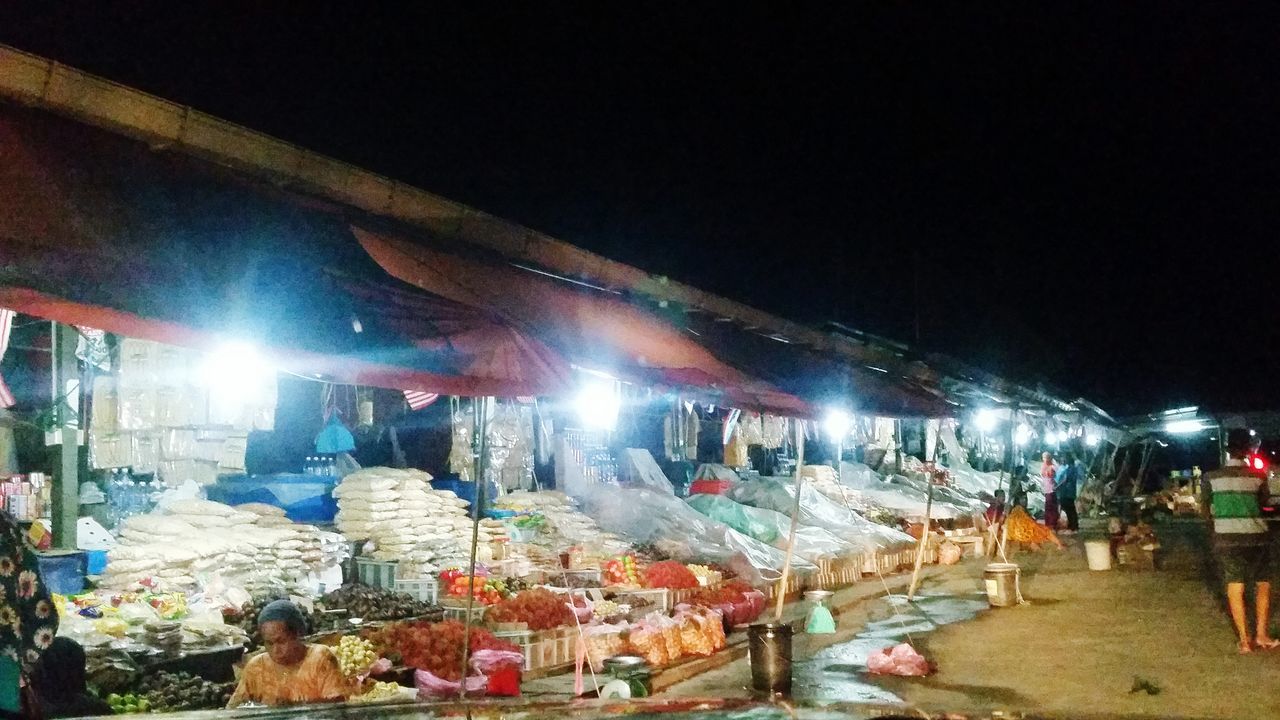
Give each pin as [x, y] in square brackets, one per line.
[1090, 194]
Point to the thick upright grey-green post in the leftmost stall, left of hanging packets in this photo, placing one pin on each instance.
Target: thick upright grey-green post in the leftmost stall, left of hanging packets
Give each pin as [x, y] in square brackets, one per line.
[66, 482]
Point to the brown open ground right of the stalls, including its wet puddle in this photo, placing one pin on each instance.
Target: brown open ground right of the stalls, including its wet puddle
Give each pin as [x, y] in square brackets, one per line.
[1078, 648]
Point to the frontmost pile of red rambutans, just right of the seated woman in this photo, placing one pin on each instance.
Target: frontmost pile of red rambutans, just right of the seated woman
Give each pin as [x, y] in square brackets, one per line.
[436, 648]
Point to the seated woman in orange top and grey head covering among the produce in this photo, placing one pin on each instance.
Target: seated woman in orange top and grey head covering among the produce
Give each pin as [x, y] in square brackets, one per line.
[291, 672]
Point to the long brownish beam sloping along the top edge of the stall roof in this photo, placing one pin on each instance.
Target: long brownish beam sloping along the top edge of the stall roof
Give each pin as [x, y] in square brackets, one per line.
[38, 81]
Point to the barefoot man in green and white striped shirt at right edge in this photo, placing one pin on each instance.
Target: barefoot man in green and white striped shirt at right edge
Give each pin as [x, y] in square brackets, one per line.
[1242, 546]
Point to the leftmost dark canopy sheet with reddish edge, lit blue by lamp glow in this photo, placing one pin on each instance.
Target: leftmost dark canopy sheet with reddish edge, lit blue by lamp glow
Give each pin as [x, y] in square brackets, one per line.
[102, 231]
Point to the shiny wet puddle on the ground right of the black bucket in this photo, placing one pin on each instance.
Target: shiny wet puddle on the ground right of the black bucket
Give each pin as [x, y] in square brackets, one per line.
[839, 673]
